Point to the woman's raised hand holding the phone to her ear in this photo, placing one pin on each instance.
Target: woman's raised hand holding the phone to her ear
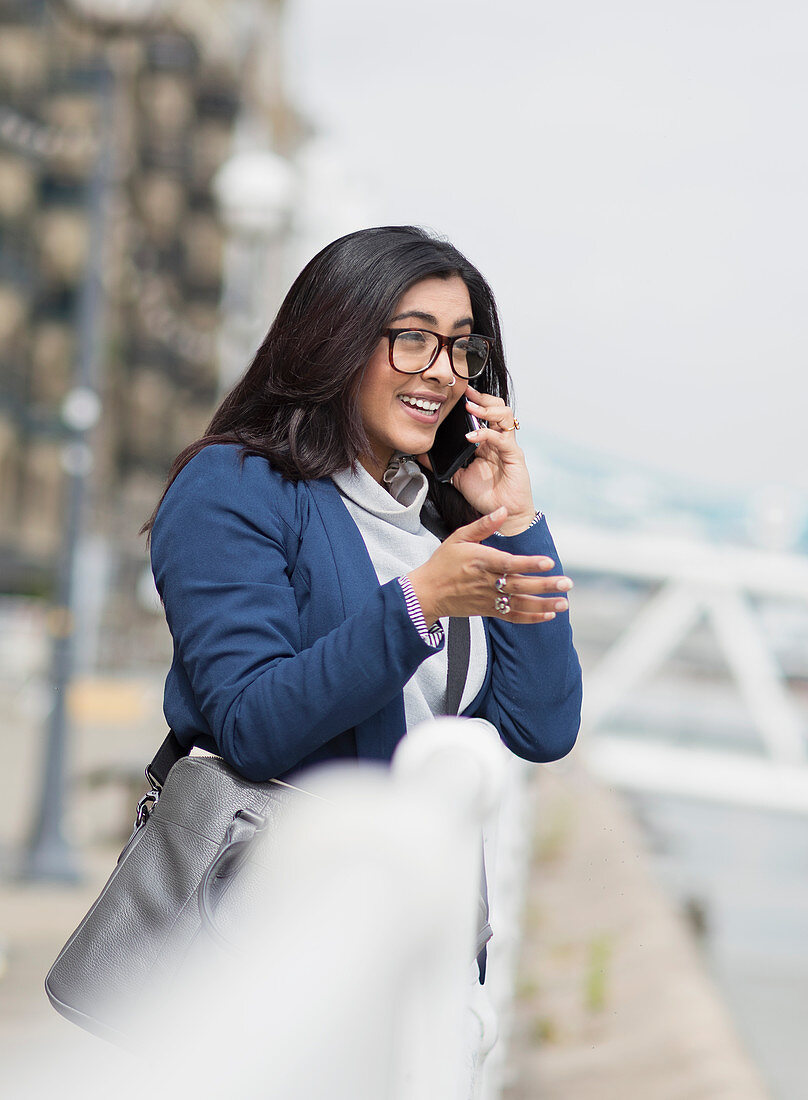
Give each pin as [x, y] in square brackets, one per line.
[499, 476]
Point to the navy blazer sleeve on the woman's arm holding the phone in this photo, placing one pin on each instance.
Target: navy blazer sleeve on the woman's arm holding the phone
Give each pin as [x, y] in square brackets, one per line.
[536, 689]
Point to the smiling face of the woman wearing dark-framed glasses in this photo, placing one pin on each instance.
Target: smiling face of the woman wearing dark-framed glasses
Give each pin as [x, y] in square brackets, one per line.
[392, 422]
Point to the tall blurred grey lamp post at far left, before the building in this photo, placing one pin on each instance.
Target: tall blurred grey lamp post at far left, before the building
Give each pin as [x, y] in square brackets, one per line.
[49, 855]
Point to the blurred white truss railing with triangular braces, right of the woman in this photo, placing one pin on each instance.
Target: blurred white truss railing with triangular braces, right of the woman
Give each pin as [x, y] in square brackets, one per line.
[696, 582]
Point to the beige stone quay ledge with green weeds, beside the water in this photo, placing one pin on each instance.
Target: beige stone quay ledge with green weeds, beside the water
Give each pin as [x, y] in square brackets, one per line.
[614, 1000]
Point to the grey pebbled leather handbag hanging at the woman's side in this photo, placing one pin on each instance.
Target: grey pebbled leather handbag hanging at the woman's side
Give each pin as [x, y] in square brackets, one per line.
[184, 867]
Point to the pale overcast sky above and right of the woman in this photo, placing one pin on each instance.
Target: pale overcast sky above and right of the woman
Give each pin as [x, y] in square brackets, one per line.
[633, 179]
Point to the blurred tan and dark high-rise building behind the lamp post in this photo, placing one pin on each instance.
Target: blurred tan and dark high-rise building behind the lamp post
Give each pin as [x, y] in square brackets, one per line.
[180, 92]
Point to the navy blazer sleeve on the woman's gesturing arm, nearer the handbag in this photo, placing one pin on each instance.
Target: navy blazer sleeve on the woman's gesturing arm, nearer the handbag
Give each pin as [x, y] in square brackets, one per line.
[220, 555]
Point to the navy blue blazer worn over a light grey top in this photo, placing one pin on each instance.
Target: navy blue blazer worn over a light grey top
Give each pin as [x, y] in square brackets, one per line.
[289, 652]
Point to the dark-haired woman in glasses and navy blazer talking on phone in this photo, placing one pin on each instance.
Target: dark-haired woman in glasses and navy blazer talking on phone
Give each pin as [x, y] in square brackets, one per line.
[303, 590]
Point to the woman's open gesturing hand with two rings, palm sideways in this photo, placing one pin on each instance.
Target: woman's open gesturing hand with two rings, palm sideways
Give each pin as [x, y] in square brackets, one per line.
[461, 579]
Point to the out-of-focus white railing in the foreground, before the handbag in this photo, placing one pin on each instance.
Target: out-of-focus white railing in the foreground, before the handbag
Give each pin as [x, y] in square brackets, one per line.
[360, 972]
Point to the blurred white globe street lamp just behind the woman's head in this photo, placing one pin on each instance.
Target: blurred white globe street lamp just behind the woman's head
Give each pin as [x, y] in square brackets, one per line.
[256, 191]
